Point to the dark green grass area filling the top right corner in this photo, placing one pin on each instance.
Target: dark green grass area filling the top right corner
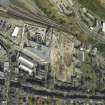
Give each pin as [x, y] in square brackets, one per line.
[95, 6]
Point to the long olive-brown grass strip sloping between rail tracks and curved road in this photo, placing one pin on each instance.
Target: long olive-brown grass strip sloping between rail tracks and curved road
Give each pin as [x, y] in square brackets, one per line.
[53, 13]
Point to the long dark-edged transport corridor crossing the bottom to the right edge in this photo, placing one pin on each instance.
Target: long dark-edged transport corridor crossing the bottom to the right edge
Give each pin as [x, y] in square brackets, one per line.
[41, 91]
